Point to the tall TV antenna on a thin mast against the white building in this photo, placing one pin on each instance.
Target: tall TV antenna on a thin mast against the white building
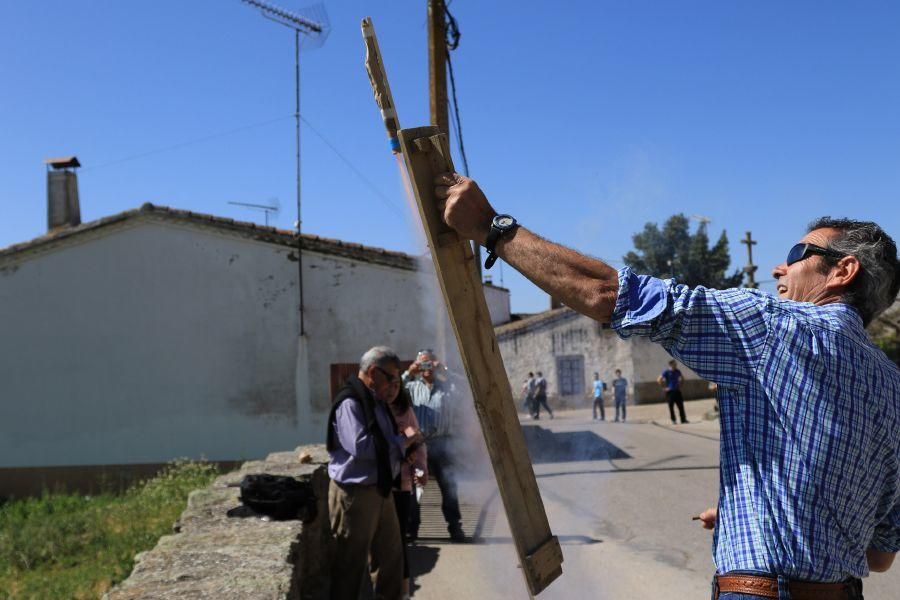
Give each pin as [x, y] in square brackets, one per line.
[314, 30]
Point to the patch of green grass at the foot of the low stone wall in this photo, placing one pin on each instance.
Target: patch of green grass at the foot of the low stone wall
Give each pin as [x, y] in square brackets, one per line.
[72, 546]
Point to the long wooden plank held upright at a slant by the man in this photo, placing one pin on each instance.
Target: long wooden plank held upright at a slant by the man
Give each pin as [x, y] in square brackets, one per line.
[427, 154]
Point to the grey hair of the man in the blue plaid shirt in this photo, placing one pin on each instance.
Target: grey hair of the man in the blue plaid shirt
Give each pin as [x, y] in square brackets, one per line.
[878, 281]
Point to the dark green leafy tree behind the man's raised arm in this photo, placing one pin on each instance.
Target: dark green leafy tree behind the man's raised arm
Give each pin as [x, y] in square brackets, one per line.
[674, 252]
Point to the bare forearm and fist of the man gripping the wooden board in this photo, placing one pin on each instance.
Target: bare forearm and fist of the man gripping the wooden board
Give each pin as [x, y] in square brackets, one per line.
[585, 284]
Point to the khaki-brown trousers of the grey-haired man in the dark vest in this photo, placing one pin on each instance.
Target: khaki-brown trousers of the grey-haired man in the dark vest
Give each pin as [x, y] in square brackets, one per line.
[365, 528]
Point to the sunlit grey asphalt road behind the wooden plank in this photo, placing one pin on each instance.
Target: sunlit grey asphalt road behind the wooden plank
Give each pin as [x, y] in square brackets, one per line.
[620, 498]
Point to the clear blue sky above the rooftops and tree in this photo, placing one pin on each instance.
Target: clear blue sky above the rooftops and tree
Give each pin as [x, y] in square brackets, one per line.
[583, 119]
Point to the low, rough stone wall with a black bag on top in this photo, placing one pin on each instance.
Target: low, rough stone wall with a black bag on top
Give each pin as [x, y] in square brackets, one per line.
[214, 555]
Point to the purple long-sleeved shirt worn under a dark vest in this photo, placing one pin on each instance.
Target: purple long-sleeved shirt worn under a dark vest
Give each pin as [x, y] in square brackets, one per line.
[354, 460]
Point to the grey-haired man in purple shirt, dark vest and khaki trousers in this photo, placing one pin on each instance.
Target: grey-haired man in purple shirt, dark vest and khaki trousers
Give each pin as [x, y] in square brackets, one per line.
[366, 451]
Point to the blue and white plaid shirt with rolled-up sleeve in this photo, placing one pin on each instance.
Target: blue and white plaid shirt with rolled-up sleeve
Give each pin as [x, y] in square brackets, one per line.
[810, 418]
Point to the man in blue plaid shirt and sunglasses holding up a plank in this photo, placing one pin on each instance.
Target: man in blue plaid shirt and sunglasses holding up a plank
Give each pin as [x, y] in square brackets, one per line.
[809, 499]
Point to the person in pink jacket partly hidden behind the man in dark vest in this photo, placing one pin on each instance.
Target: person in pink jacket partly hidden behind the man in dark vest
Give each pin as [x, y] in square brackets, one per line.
[416, 460]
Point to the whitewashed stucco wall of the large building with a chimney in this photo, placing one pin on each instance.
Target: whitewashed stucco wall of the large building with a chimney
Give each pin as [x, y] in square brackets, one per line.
[147, 341]
